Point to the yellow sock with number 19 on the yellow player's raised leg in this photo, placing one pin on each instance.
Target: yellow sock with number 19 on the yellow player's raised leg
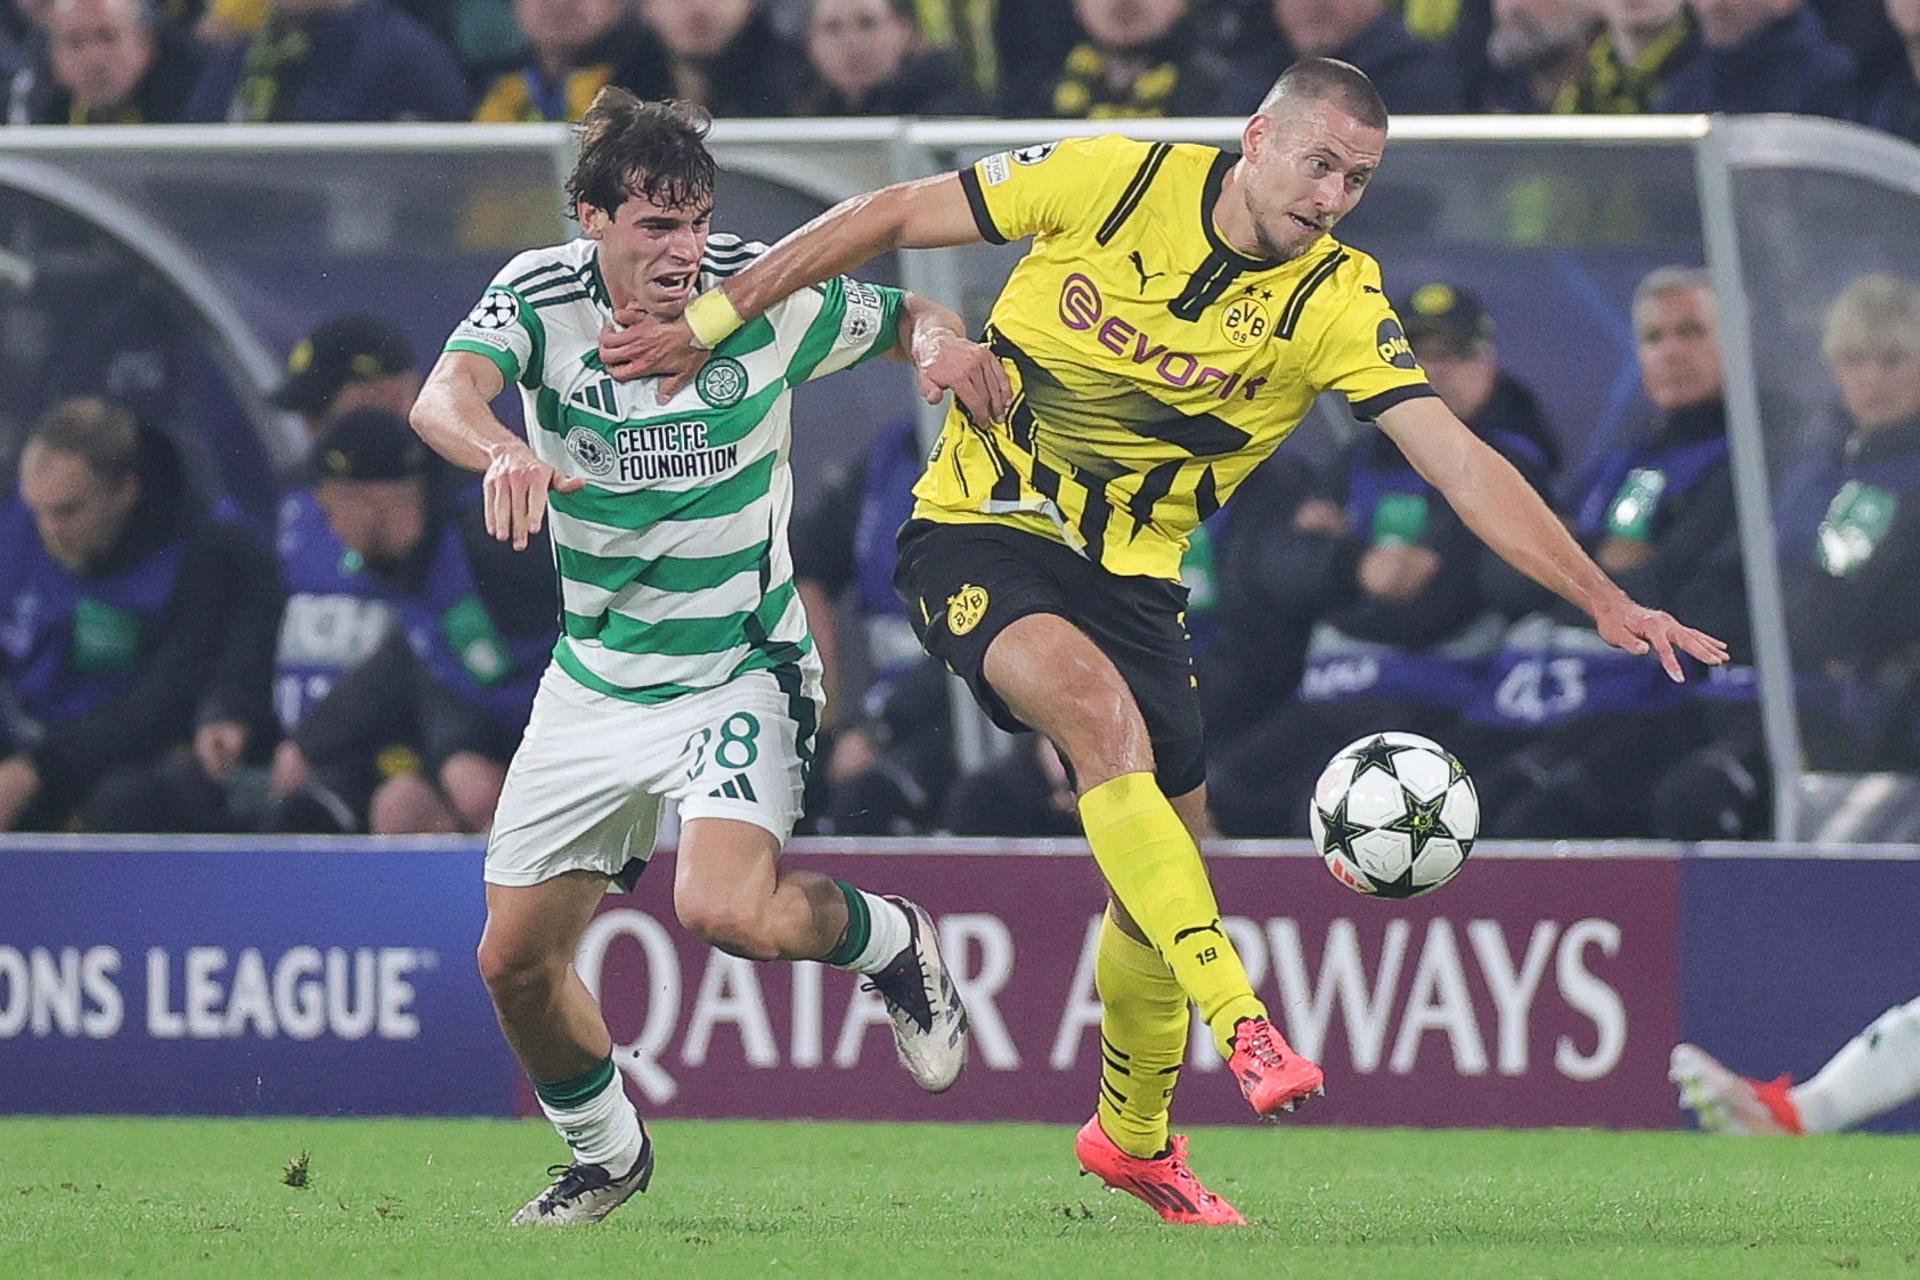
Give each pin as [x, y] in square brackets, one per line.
[1155, 870]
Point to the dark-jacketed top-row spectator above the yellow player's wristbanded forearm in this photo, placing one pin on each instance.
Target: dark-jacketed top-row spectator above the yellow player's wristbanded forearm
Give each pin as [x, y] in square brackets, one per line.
[867, 59]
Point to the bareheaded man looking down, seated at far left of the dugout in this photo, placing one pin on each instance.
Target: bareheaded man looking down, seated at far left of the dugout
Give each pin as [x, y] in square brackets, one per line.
[137, 625]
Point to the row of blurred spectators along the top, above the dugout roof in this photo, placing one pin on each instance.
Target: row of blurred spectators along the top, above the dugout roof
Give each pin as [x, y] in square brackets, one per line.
[542, 60]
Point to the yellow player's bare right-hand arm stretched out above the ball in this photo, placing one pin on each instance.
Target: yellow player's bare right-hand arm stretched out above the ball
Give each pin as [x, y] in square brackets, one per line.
[1510, 517]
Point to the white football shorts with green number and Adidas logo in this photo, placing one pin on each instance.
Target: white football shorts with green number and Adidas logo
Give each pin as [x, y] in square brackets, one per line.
[594, 772]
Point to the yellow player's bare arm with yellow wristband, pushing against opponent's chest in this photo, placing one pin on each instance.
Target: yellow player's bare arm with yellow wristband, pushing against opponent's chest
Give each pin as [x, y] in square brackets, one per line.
[907, 216]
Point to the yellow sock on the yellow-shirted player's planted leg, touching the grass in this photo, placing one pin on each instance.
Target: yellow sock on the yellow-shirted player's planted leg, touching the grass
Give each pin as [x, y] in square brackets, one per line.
[1143, 1041]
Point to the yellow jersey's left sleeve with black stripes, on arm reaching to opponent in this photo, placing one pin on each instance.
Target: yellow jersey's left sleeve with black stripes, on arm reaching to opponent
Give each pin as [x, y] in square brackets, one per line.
[1038, 191]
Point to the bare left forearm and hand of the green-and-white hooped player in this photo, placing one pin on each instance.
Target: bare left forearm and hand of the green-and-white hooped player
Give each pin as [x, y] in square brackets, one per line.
[454, 415]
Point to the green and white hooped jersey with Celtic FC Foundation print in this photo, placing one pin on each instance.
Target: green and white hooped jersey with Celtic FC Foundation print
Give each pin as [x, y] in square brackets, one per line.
[675, 567]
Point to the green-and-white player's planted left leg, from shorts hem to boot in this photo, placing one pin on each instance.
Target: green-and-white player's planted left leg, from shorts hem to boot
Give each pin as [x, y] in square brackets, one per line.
[556, 1030]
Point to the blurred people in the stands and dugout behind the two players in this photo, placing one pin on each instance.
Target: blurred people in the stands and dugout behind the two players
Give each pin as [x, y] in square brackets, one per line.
[341, 648]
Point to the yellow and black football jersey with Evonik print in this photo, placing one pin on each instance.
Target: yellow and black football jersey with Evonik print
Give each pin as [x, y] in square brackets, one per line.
[1153, 366]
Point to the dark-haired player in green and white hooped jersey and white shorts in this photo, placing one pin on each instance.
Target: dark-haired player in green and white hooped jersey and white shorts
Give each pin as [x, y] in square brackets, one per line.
[684, 669]
